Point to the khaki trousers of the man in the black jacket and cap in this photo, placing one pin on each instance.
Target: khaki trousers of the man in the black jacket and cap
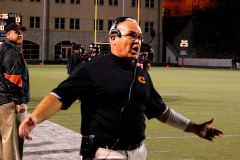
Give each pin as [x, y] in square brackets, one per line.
[11, 145]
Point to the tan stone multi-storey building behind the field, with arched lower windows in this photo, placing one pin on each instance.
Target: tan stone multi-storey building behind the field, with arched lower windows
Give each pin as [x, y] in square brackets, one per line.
[69, 22]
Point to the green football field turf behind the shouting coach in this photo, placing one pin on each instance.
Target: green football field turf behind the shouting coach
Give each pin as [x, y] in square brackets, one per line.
[198, 94]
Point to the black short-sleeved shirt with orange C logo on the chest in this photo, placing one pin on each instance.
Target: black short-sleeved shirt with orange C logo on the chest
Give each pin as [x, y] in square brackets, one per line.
[104, 85]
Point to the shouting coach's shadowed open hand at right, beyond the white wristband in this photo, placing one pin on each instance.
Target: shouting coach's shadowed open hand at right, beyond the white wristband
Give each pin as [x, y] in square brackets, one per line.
[206, 131]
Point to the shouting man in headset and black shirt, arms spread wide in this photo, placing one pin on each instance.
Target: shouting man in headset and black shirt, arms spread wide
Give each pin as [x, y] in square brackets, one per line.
[116, 95]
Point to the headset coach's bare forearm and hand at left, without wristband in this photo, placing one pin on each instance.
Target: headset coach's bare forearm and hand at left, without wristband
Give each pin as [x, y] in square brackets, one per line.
[47, 108]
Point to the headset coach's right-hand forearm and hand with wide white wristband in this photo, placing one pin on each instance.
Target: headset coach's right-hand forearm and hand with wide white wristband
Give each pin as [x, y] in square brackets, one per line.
[204, 130]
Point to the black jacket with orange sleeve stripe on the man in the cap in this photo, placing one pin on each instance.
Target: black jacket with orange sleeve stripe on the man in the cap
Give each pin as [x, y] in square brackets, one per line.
[14, 79]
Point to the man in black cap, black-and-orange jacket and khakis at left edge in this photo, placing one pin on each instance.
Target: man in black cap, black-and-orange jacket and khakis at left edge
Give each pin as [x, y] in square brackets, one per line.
[14, 93]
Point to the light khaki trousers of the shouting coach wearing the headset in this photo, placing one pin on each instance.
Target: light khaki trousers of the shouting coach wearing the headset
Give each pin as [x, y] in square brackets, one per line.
[137, 154]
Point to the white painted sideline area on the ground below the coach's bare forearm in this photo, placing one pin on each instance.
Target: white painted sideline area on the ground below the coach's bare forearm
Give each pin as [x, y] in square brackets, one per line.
[52, 142]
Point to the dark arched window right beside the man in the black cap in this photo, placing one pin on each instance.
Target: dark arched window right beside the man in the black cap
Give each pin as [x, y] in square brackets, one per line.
[30, 50]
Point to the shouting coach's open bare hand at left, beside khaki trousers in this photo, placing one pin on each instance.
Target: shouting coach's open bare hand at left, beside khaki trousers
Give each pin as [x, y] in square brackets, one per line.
[26, 127]
